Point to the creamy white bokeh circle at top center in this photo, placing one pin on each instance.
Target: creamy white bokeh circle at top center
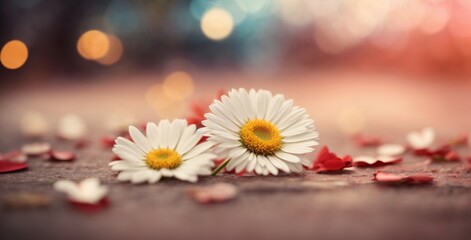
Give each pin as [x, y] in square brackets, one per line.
[217, 24]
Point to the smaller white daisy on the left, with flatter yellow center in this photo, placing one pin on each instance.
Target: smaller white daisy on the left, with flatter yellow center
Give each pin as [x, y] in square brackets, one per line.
[169, 150]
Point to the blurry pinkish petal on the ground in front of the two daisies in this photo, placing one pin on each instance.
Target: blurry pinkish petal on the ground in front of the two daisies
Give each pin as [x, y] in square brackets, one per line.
[217, 193]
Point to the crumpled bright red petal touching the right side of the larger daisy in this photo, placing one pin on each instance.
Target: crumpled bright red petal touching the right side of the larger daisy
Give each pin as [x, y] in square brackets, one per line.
[327, 162]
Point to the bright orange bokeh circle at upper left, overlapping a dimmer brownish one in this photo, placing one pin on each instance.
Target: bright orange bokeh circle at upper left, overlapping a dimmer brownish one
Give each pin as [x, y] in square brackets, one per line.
[93, 45]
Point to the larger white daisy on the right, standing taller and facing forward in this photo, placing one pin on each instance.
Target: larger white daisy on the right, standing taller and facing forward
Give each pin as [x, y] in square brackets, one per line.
[260, 132]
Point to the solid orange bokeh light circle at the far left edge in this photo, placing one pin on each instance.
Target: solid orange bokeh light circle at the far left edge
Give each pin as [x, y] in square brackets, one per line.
[14, 54]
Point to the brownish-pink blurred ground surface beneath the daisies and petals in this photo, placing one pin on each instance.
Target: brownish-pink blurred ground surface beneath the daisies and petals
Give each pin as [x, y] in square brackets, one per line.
[347, 205]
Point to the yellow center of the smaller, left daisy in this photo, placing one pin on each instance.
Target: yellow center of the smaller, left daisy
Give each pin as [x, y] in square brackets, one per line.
[163, 158]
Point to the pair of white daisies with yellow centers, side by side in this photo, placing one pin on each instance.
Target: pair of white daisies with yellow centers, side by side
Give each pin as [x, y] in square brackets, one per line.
[253, 130]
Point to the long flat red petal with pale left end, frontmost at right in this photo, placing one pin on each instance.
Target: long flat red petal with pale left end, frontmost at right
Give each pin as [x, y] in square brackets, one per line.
[385, 177]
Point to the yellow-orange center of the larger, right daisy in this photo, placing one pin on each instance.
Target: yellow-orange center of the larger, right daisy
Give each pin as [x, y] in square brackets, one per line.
[260, 137]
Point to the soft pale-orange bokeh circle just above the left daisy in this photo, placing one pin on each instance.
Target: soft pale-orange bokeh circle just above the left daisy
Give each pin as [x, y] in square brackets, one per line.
[178, 85]
